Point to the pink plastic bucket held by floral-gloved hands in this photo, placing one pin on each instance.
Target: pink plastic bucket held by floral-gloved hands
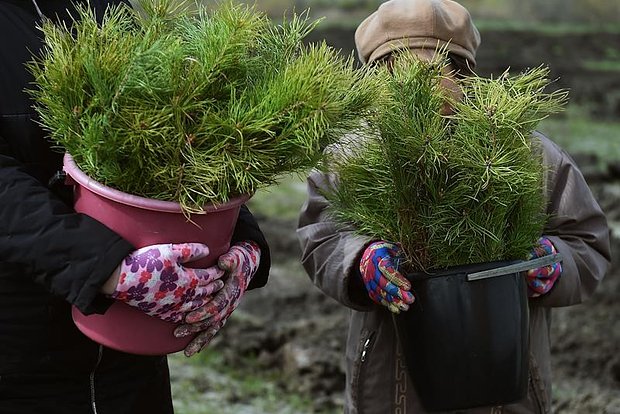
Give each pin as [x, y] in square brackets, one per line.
[144, 222]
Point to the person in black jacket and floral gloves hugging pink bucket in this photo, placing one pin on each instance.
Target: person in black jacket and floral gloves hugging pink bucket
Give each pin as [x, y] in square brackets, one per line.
[52, 258]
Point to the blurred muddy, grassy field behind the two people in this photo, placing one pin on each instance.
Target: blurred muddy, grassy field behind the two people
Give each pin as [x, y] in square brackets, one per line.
[282, 350]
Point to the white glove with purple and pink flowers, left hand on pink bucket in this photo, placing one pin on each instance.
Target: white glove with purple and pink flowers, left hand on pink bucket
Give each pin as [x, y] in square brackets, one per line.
[154, 280]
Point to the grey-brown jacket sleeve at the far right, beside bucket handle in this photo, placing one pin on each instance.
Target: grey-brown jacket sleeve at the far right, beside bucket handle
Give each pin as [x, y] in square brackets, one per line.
[577, 227]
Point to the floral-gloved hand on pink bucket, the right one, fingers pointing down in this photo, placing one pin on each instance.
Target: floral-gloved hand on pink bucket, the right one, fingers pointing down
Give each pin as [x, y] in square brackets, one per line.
[240, 264]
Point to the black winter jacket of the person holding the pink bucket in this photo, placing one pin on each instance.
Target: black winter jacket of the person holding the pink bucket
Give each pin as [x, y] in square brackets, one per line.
[52, 258]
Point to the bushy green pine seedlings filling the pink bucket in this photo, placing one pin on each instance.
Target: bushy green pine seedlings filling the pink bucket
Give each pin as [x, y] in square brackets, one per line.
[194, 107]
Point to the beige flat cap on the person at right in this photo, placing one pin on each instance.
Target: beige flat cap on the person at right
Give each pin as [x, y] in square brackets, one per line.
[418, 24]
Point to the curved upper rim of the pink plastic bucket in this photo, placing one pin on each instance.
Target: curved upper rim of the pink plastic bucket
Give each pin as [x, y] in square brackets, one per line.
[82, 179]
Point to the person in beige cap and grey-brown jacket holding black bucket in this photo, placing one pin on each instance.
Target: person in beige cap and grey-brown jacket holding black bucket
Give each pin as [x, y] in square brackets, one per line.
[363, 275]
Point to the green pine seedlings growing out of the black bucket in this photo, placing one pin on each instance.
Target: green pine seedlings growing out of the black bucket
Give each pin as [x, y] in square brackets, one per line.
[458, 189]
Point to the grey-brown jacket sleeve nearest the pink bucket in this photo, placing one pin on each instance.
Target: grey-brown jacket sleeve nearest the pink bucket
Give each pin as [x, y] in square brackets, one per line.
[330, 252]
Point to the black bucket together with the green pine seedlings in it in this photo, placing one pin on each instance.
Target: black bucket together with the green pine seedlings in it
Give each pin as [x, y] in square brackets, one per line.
[462, 194]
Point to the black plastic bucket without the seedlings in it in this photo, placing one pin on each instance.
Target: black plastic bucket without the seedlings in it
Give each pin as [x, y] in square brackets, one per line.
[466, 342]
